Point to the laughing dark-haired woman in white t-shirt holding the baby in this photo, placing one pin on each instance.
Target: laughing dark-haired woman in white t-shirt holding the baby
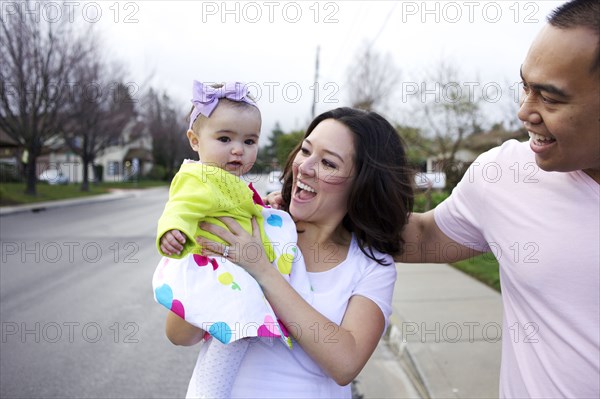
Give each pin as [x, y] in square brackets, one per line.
[348, 188]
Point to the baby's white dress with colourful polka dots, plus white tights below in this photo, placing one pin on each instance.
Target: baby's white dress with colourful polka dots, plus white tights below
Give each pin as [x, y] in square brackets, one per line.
[226, 302]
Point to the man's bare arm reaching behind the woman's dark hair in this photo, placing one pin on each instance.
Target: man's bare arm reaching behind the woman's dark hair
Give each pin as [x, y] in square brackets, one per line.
[426, 243]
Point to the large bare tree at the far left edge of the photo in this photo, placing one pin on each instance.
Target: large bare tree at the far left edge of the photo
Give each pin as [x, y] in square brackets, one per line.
[38, 56]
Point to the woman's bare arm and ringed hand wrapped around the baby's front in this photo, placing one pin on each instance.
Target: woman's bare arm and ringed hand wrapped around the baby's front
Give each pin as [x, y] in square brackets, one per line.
[341, 350]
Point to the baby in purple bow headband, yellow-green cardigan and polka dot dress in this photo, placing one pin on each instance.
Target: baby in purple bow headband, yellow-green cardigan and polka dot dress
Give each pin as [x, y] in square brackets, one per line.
[214, 294]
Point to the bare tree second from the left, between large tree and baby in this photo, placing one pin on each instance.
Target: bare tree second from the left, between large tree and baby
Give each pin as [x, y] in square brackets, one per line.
[100, 107]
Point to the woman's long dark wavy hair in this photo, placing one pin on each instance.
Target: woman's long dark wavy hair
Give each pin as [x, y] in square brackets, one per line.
[381, 197]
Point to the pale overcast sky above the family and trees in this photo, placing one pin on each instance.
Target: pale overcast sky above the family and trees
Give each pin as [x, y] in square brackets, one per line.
[272, 46]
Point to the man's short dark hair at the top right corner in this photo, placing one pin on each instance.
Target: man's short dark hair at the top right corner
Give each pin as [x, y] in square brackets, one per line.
[579, 13]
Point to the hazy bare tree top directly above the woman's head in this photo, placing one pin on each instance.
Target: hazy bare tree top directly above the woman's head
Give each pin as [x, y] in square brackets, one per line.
[372, 78]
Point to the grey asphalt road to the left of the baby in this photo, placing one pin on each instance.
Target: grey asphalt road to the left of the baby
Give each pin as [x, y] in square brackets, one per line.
[77, 313]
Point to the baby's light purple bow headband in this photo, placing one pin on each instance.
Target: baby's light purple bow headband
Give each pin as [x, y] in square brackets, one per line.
[206, 98]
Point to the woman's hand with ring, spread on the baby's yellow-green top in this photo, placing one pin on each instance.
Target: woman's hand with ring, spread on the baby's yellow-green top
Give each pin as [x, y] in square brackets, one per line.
[244, 250]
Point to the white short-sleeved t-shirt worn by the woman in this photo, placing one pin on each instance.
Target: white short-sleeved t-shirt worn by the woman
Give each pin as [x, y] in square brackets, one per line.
[271, 370]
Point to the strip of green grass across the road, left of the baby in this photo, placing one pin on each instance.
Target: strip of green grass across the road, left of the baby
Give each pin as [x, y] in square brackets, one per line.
[14, 193]
